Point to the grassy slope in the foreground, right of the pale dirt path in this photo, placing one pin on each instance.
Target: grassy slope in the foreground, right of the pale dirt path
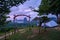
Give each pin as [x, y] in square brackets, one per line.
[51, 34]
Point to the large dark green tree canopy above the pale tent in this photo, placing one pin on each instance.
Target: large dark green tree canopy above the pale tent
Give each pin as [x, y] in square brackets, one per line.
[49, 6]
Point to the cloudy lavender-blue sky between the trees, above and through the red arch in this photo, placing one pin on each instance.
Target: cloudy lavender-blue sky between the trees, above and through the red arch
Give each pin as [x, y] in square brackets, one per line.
[25, 9]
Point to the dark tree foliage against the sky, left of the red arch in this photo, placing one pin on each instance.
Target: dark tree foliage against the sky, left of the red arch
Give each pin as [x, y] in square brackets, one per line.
[4, 8]
